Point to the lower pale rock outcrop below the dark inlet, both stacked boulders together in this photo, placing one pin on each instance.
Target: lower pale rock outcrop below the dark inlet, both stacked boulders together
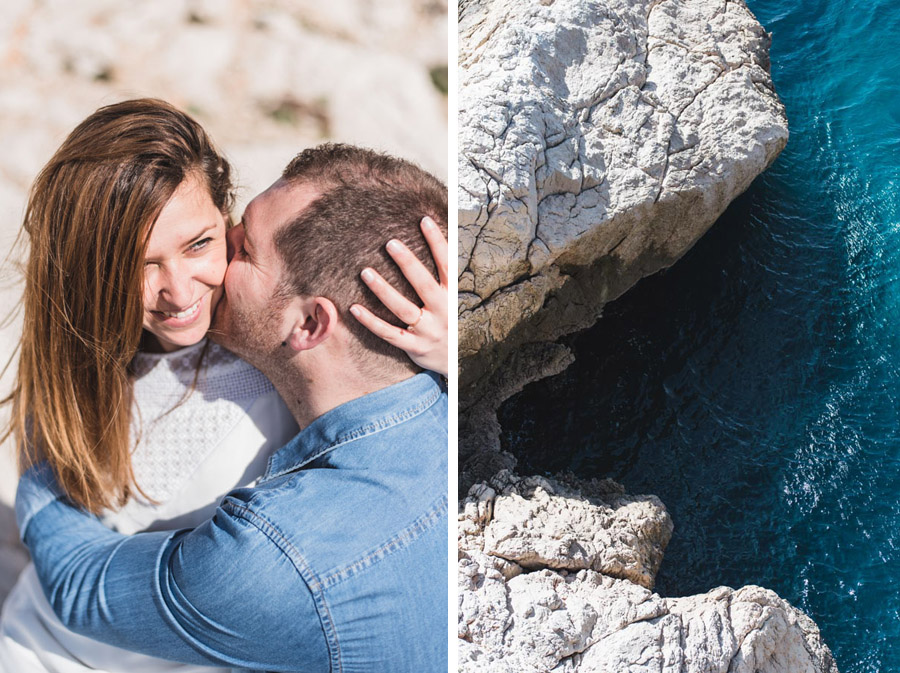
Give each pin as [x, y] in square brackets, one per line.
[523, 607]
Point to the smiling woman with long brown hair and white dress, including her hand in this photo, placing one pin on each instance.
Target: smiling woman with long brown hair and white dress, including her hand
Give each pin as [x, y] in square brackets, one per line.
[143, 421]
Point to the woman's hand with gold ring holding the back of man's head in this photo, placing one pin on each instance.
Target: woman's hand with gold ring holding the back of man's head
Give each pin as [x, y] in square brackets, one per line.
[425, 339]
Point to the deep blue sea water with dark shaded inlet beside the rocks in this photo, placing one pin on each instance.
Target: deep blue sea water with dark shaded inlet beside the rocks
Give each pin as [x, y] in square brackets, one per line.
[755, 385]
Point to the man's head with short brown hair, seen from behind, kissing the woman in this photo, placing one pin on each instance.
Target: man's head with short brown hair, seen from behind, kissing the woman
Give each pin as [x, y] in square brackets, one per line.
[301, 247]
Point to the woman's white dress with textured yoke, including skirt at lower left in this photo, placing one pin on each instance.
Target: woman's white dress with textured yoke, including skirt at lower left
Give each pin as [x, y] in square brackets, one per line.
[190, 448]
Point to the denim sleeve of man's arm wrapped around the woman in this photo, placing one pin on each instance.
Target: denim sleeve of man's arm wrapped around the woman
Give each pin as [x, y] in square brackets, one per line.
[223, 593]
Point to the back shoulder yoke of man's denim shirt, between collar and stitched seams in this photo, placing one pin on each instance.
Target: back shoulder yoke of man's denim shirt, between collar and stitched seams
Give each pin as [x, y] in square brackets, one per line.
[367, 494]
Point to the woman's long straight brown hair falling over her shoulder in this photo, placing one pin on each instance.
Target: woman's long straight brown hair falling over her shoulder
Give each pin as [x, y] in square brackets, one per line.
[88, 220]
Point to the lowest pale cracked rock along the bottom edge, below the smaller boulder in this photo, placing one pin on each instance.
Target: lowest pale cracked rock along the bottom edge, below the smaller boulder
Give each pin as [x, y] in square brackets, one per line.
[588, 622]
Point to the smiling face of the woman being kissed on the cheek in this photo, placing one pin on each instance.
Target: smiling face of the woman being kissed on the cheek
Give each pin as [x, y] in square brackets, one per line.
[184, 267]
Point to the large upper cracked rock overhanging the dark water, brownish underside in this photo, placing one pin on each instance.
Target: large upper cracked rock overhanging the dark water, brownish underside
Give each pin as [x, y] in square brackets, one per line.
[598, 140]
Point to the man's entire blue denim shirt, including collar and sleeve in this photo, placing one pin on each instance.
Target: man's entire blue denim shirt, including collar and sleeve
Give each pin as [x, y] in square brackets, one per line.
[335, 561]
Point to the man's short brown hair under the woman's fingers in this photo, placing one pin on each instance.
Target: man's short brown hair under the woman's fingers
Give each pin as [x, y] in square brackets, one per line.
[366, 198]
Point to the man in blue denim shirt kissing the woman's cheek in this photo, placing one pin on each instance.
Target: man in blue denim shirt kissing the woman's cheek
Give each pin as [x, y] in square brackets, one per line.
[337, 559]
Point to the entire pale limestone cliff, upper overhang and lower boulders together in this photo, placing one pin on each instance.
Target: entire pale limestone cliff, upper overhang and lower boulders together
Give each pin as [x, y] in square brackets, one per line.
[599, 139]
